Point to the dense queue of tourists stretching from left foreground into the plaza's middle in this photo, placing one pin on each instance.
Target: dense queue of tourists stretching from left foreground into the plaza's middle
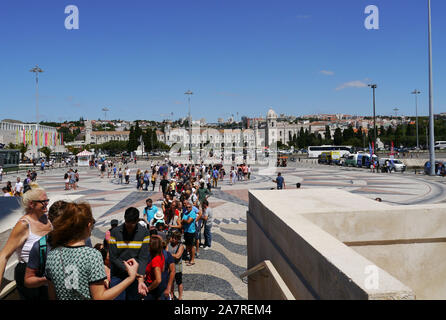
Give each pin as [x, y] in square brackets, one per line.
[140, 259]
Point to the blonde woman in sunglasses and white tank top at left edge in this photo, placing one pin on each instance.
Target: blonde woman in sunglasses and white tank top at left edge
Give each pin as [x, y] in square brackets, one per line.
[29, 229]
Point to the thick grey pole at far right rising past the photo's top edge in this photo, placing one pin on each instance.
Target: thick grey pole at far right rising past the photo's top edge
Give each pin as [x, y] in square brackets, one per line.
[431, 100]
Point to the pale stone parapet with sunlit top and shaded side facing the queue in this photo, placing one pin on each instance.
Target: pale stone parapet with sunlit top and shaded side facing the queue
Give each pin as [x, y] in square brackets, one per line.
[312, 262]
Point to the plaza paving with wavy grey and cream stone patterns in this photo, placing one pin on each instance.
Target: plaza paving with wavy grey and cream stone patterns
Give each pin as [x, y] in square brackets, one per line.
[216, 272]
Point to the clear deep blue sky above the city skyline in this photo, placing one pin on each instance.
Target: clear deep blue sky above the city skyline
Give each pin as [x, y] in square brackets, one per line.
[139, 57]
